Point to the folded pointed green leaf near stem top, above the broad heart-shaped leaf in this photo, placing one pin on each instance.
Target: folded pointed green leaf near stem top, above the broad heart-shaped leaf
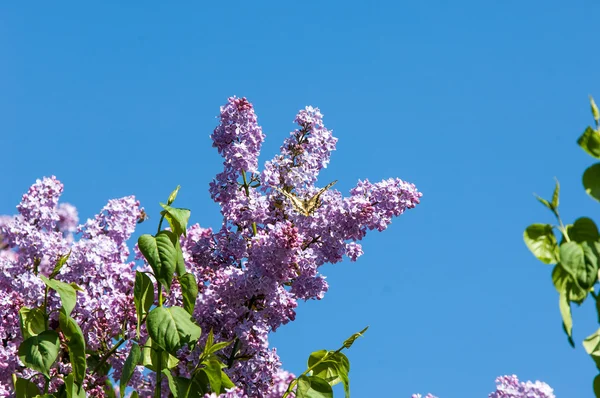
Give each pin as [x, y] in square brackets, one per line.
[160, 253]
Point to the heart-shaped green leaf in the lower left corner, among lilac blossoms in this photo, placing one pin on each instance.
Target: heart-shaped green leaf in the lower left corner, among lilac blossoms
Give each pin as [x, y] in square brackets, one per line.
[39, 352]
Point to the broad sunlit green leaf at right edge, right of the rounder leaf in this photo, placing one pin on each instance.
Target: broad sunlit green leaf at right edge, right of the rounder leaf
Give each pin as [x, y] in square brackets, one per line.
[581, 261]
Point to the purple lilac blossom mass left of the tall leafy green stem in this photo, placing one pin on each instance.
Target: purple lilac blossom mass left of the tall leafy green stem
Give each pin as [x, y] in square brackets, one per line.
[36, 237]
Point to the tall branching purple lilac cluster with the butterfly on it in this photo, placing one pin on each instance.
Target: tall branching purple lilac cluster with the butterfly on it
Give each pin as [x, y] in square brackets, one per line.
[266, 255]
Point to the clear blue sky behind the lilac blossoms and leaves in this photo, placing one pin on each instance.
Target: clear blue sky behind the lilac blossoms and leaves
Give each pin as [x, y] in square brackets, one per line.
[479, 103]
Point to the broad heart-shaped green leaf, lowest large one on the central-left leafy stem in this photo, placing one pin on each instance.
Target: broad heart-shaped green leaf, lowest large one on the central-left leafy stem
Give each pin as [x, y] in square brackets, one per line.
[171, 328]
